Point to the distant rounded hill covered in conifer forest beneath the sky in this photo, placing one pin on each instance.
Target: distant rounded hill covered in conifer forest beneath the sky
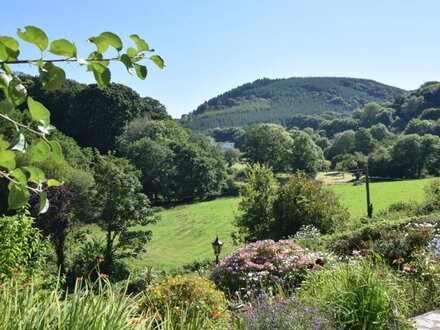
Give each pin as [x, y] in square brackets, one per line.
[279, 100]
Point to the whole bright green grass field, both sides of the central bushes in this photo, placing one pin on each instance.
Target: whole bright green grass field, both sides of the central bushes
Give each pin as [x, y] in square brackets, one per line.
[184, 234]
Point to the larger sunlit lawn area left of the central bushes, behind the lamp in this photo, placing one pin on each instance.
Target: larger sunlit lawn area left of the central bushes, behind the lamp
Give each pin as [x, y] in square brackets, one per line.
[184, 233]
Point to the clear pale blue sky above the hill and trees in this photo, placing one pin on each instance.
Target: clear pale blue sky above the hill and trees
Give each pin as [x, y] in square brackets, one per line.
[210, 47]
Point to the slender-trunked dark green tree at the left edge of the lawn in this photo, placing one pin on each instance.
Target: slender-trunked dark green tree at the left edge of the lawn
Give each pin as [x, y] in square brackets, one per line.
[121, 206]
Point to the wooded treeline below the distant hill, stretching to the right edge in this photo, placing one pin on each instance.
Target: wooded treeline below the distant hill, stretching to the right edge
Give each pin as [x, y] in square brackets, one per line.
[400, 139]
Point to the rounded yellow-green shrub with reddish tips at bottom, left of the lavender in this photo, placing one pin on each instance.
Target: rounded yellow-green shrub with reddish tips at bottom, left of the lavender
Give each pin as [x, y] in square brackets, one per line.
[189, 296]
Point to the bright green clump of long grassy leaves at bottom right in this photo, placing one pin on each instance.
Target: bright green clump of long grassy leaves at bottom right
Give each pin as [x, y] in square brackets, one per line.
[359, 294]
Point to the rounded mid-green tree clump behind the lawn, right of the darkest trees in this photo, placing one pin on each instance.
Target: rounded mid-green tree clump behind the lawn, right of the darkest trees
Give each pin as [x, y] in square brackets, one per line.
[176, 164]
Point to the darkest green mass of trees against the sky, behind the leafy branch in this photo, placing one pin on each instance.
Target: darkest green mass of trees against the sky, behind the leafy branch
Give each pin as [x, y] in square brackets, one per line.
[94, 116]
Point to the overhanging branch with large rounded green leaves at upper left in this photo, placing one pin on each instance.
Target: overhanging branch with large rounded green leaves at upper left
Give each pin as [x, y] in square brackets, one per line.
[31, 178]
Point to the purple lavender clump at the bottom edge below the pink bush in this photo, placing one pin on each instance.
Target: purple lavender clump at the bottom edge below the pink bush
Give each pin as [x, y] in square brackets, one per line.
[269, 313]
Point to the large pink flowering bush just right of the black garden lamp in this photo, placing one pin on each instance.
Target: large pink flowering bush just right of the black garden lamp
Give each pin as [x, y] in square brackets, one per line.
[264, 264]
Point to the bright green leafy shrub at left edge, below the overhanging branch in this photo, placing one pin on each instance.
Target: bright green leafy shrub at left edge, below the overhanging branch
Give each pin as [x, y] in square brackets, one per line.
[22, 248]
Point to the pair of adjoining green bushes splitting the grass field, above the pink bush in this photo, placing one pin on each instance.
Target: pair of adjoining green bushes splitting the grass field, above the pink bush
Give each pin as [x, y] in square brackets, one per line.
[272, 211]
